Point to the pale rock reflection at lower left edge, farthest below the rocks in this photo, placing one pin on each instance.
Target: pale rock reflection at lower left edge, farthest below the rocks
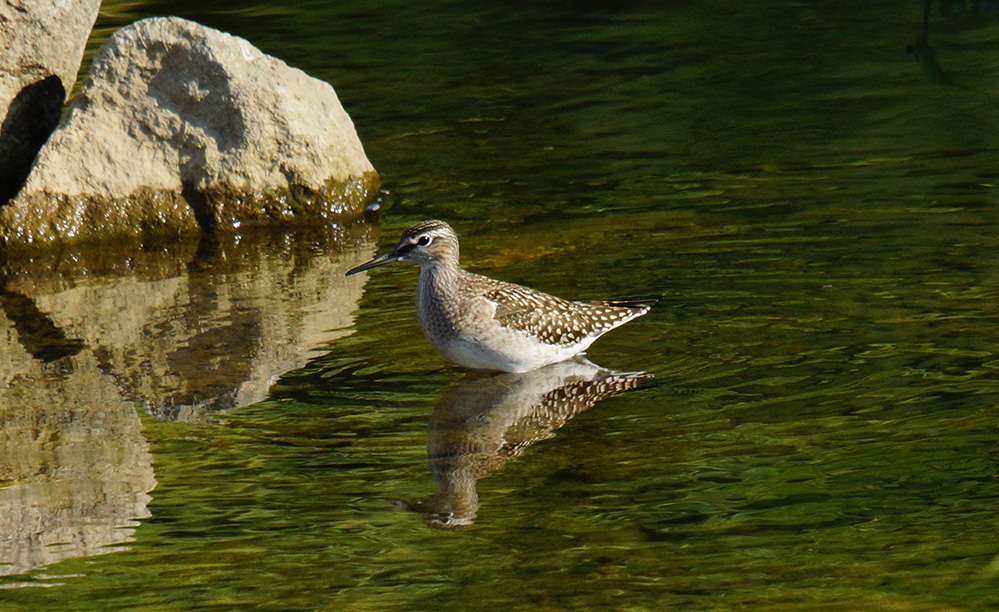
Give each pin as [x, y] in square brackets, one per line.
[75, 470]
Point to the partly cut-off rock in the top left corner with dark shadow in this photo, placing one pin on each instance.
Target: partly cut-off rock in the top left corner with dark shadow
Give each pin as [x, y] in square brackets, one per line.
[43, 44]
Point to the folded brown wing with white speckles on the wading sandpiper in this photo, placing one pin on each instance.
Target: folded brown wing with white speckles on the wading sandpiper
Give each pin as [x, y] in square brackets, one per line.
[555, 320]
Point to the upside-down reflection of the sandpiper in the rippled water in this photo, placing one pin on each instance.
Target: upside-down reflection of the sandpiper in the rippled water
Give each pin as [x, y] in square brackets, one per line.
[489, 419]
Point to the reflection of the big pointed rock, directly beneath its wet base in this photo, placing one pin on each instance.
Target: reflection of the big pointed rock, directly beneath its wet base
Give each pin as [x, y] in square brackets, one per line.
[189, 333]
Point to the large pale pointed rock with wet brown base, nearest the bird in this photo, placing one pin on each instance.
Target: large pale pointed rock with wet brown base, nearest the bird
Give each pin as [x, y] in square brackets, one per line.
[180, 127]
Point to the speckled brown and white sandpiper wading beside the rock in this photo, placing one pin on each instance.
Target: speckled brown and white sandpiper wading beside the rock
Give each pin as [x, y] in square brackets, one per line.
[486, 324]
